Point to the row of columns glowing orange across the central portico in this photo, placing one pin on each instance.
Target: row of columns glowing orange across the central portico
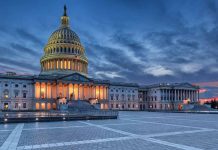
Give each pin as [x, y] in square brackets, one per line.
[70, 91]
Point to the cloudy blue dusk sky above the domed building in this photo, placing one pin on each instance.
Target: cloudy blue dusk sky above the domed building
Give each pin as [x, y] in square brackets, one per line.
[137, 41]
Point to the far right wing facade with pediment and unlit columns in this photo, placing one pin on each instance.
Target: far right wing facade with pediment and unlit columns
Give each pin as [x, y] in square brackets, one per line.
[167, 96]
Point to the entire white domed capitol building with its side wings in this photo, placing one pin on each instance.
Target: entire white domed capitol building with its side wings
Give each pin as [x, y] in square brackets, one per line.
[64, 77]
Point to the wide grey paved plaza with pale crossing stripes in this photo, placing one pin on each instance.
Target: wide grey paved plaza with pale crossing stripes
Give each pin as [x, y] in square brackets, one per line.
[133, 131]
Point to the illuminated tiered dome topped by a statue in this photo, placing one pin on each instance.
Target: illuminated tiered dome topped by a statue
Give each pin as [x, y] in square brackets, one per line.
[64, 54]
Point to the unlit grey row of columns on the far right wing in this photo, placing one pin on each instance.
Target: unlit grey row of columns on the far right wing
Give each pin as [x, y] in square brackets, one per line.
[178, 94]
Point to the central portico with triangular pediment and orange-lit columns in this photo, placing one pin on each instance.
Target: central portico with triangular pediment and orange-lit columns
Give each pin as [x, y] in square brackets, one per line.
[49, 93]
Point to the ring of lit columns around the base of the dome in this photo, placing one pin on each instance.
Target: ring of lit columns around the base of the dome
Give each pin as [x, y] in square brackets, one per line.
[64, 64]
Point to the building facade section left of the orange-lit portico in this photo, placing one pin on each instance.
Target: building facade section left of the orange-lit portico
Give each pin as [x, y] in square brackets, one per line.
[16, 92]
